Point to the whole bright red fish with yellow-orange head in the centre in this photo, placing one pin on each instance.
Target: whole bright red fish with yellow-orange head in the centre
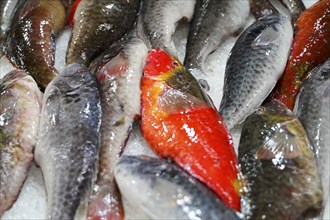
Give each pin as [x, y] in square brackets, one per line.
[180, 123]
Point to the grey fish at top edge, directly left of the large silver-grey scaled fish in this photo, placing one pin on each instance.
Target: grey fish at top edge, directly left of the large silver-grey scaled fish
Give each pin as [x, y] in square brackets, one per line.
[213, 22]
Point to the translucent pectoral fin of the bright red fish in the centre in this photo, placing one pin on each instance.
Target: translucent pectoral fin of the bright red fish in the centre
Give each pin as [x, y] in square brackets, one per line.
[172, 100]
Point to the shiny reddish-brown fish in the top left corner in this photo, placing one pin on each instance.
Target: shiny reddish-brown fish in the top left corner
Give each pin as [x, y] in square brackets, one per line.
[30, 42]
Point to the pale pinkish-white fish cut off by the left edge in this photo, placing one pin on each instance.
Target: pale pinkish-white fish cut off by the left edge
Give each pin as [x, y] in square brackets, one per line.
[20, 107]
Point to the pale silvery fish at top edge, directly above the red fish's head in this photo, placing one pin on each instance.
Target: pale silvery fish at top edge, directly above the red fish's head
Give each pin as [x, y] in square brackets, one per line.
[158, 21]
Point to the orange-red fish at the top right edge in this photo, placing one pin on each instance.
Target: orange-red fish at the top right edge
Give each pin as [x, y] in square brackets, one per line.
[310, 48]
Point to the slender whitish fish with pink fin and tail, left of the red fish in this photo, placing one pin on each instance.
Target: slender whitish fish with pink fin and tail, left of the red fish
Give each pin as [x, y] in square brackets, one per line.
[119, 86]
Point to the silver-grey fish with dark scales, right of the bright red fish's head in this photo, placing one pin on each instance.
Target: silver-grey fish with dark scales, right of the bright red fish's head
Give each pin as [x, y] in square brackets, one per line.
[256, 62]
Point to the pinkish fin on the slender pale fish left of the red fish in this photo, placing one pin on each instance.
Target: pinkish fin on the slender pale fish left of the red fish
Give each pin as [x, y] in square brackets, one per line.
[116, 66]
